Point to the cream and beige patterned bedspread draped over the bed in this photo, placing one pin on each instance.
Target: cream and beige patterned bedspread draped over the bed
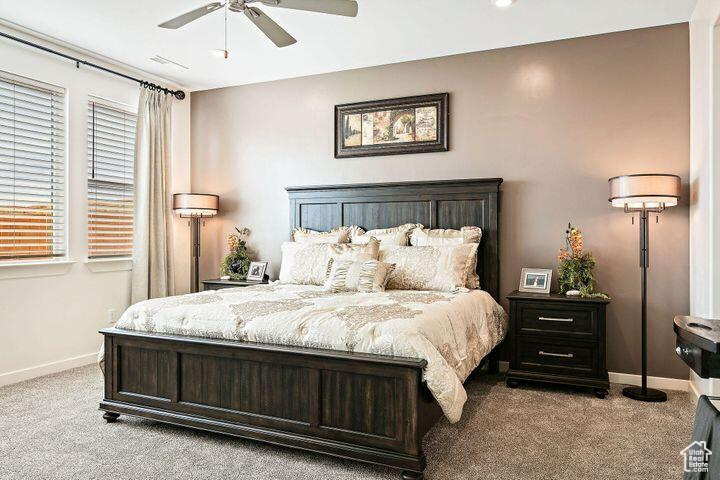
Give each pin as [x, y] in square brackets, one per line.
[452, 331]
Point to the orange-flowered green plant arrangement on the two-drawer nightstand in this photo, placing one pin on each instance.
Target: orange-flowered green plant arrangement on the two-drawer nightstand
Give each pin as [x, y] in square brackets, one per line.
[575, 269]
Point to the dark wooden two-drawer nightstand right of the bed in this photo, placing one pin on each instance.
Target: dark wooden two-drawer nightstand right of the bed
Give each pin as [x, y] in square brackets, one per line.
[558, 339]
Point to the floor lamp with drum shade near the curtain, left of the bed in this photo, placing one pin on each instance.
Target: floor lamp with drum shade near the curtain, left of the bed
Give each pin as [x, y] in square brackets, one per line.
[195, 206]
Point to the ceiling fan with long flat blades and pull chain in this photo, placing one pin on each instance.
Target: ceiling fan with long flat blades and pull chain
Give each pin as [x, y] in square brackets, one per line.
[274, 32]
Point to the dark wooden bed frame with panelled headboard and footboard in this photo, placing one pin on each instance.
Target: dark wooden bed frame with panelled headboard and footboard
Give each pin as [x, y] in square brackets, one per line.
[371, 408]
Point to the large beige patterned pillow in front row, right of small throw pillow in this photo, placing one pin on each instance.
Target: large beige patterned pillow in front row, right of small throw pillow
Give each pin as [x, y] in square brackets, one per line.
[441, 268]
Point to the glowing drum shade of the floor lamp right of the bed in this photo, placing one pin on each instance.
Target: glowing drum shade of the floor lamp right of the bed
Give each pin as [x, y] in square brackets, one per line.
[645, 190]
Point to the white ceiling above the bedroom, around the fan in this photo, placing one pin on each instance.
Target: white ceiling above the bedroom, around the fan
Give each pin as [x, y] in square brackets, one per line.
[385, 31]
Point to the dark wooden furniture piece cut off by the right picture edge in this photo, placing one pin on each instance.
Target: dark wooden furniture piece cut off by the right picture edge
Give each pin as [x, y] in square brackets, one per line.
[698, 344]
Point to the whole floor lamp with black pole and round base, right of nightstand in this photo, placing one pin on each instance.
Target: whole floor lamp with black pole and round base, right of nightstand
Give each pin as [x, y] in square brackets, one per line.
[644, 194]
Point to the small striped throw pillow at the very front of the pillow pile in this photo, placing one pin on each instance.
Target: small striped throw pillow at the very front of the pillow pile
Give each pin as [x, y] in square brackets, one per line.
[367, 276]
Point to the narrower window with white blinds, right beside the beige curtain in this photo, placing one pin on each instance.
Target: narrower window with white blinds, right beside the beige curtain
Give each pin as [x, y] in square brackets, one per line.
[111, 157]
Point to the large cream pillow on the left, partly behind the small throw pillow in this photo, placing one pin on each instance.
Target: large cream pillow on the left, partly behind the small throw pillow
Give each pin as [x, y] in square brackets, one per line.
[307, 263]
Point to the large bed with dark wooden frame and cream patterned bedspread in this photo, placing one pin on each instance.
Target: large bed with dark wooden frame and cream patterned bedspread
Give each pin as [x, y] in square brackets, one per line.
[372, 401]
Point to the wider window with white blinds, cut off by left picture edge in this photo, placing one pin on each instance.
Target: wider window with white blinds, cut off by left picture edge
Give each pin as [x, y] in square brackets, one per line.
[32, 169]
